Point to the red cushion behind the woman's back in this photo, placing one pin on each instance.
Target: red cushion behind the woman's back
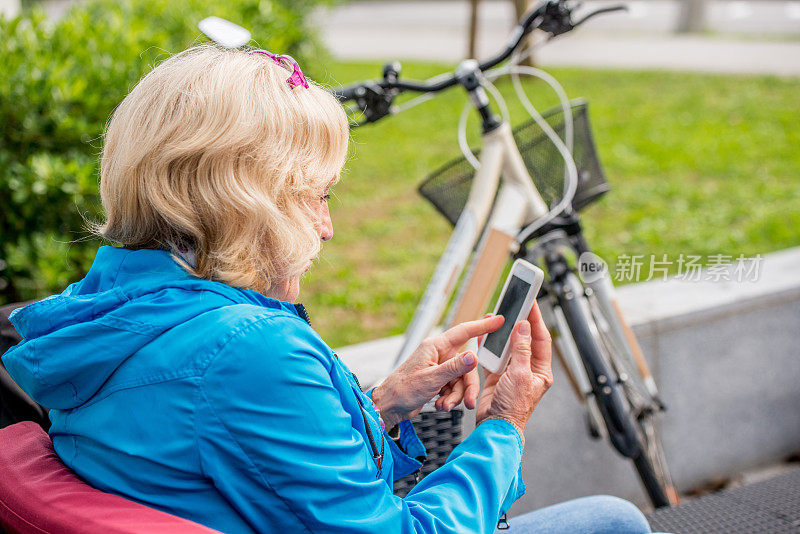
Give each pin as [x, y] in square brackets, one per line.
[38, 493]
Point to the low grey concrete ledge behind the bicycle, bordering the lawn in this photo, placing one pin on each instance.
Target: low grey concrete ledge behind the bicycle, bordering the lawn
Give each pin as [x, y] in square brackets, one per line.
[727, 361]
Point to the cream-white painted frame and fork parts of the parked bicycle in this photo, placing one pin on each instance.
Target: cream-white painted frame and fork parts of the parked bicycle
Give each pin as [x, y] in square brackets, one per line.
[518, 204]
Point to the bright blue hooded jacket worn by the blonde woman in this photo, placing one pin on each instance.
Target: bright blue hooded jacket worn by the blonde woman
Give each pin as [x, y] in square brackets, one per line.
[223, 406]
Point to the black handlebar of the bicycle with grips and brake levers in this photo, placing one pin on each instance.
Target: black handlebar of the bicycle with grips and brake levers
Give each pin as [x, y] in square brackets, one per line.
[374, 98]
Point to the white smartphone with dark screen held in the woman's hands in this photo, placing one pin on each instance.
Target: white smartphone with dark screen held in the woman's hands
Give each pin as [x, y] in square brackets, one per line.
[515, 303]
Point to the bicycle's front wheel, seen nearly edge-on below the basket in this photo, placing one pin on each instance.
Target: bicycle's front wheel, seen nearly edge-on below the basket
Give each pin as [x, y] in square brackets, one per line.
[631, 429]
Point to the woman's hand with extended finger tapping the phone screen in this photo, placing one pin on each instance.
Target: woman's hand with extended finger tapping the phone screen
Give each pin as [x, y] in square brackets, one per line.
[434, 368]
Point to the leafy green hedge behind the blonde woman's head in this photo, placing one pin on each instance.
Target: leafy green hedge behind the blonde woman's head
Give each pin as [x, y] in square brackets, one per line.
[60, 82]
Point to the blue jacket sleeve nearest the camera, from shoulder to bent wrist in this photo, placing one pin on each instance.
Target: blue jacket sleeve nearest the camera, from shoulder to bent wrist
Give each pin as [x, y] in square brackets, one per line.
[271, 428]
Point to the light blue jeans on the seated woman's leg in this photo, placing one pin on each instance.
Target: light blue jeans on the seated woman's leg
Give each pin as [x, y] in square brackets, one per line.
[600, 514]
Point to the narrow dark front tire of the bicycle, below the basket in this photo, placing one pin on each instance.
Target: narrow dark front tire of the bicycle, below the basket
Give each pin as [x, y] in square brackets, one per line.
[625, 431]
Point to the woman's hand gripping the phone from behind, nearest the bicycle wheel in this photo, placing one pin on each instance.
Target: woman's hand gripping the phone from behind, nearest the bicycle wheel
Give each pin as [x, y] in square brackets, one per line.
[514, 394]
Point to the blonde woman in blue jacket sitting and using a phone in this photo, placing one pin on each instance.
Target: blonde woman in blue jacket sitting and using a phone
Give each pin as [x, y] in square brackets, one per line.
[180, 374]
